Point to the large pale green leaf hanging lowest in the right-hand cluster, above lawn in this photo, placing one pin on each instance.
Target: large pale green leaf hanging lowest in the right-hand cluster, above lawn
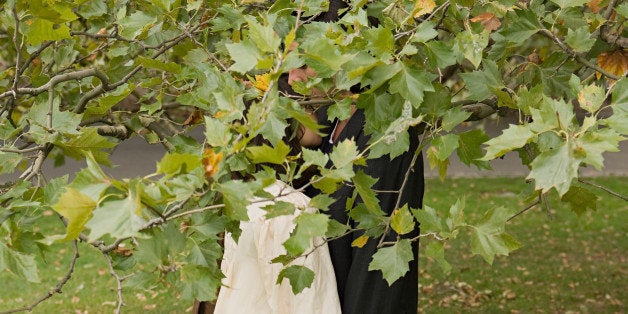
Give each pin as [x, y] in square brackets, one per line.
[555, 168]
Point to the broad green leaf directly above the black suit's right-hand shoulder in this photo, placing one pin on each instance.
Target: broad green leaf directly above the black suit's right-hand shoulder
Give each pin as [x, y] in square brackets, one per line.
[411, 83]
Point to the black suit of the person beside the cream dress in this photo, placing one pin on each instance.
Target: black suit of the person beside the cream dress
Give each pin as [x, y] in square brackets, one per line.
[362, 291]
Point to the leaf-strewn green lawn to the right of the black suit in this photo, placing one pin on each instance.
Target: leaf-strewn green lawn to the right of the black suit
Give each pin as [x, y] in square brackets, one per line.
[567, 264]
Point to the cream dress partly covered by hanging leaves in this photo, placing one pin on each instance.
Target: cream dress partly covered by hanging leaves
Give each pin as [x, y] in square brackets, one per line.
[250, 283]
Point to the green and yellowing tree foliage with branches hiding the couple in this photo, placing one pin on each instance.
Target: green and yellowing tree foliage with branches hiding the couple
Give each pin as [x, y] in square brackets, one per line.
[78, 77]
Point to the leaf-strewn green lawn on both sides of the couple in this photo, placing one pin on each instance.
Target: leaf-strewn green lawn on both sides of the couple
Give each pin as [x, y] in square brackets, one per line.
[567, 264]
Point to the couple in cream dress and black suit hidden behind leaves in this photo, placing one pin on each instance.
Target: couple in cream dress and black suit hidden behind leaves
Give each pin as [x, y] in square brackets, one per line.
[342, 280]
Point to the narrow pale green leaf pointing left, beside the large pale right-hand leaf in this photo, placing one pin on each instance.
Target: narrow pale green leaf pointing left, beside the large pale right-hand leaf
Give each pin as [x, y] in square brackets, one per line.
[514, 137]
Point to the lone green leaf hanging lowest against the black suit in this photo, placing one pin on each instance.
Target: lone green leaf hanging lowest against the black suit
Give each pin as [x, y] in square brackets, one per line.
[393, 260]
